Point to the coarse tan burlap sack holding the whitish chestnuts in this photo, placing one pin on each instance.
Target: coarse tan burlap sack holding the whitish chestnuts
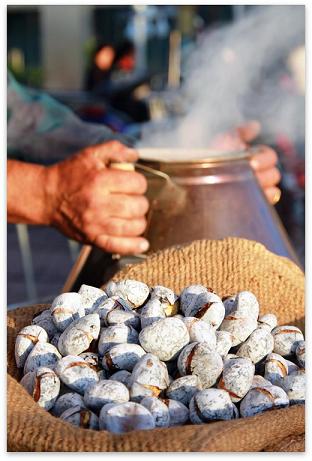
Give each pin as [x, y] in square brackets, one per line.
[228, 266]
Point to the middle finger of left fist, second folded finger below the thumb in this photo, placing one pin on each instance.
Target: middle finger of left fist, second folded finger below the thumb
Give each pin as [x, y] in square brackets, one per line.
[126, 206]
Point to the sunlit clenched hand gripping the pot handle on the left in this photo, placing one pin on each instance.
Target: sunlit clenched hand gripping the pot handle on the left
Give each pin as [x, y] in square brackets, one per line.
[94, 204]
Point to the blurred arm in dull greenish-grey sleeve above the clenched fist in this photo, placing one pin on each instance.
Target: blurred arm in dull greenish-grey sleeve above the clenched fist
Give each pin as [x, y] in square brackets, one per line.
[45, 131]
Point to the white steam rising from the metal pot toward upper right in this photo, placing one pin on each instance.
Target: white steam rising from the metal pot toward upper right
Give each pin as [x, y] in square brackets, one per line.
[237, 73]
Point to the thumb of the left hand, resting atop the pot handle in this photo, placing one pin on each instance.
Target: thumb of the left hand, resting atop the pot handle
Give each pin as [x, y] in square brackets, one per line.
[113, 151]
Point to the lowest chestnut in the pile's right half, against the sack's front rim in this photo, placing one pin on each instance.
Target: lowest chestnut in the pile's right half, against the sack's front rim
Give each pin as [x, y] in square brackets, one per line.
[211, 404]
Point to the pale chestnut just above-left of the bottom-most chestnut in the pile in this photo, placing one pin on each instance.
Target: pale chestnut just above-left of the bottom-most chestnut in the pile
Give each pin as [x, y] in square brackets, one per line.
[105, 391]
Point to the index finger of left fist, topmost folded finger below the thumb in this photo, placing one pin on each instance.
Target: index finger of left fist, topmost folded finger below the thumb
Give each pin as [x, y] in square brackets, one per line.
[122, 182]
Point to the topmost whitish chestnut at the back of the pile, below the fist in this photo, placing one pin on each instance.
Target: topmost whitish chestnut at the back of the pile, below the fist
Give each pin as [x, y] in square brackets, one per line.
[133, 292]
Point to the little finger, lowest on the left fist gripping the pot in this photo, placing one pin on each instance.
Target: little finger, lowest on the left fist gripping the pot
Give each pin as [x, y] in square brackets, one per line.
[121, 245]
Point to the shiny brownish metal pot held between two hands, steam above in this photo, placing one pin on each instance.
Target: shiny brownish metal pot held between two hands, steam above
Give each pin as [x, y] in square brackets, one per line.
[217, 196]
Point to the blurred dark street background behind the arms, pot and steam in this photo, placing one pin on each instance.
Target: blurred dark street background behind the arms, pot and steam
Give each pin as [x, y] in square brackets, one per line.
[123, 67]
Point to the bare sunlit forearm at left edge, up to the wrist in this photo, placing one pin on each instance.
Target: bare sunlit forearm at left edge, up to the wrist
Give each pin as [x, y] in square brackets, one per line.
[28, 193]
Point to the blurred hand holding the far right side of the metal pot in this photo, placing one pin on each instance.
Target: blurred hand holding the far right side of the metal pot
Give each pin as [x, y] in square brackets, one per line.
[263, 160]
